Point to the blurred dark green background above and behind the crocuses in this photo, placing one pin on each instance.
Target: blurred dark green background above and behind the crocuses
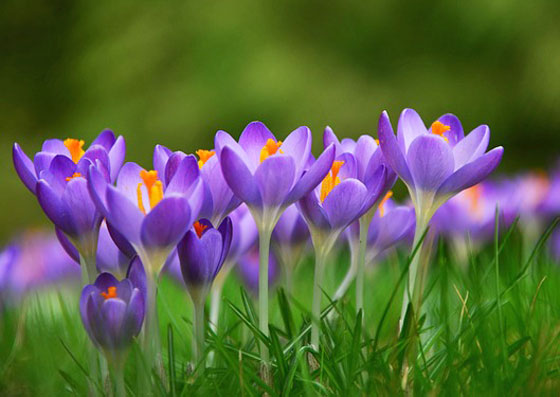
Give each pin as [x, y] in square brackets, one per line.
[175, 72]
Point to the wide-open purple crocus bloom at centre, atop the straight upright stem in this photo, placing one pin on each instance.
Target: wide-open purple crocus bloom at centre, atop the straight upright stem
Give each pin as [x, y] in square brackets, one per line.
[268, 174]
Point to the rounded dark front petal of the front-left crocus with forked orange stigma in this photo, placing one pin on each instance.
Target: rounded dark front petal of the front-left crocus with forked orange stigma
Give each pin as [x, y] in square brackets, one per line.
[166, 223]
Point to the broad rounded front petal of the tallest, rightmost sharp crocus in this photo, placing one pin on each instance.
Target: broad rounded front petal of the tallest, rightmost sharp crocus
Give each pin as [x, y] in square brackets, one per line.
[431, 161]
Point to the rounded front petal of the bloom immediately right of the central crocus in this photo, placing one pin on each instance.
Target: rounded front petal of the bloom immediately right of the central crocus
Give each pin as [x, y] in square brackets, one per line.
[344, 202]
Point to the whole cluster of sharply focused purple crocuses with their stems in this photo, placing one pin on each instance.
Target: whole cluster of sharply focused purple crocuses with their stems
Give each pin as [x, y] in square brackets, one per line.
[198, 215]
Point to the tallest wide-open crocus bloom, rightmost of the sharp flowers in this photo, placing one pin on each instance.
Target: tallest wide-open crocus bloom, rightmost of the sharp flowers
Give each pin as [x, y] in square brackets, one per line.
[438, 162]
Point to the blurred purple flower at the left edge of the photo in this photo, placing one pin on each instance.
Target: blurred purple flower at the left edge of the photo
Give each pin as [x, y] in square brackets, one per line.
[35, 260]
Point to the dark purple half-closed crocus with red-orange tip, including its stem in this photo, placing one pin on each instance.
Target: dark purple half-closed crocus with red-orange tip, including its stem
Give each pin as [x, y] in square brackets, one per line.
[202, 252]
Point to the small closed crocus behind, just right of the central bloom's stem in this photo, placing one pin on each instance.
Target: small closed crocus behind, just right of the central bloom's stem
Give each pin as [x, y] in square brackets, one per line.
[289, 240]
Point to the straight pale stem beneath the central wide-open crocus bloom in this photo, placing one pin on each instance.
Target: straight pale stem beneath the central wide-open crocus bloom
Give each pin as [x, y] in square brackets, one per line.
[264, 251]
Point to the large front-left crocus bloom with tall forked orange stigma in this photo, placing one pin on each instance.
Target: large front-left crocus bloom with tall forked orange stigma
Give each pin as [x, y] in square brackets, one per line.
[152, 209]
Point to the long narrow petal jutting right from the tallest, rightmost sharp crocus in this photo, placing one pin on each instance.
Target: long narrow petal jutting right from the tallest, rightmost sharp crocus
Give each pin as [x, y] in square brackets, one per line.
[471, 173]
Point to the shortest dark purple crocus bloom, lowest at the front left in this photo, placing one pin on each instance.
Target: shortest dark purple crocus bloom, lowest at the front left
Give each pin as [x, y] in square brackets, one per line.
[112, 312]
